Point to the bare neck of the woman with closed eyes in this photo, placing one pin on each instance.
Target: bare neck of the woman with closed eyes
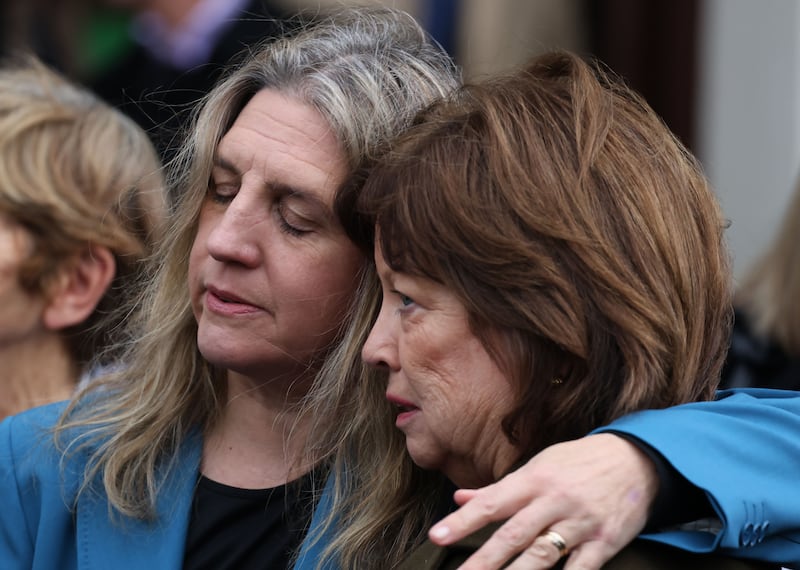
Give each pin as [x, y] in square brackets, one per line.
[259, 439]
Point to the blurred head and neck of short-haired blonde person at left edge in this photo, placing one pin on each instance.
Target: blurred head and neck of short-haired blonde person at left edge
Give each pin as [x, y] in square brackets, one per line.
[82, 203]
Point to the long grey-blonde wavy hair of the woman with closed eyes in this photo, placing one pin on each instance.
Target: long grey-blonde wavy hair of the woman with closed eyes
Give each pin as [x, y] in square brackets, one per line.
[367, 71]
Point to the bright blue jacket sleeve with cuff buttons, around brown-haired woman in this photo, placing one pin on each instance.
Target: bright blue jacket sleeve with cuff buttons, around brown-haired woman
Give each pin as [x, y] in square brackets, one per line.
[743, 452]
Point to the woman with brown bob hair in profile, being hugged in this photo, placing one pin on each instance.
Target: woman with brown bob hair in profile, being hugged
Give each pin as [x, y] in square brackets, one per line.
[551, 258]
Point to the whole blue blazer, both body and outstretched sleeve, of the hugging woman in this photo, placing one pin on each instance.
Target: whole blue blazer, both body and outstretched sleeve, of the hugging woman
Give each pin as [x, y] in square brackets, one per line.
[751, 483]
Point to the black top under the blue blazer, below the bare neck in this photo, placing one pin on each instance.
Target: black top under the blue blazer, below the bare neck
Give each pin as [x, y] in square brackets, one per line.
[246, 529]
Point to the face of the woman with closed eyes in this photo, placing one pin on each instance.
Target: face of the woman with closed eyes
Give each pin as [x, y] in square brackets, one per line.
[252, 217]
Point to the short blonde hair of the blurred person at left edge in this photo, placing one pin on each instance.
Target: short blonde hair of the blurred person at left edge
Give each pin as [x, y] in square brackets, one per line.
[74, 171]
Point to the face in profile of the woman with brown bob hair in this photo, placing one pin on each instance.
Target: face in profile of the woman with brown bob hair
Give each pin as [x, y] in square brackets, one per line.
[439, 365]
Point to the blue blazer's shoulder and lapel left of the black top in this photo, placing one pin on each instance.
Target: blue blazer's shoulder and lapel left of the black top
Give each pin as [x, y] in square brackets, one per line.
[42, 528]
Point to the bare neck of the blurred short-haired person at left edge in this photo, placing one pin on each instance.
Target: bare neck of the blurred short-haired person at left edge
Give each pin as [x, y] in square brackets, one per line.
[35, 372]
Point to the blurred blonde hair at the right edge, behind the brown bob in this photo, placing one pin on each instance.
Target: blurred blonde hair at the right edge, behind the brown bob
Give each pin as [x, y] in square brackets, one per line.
[770, 291]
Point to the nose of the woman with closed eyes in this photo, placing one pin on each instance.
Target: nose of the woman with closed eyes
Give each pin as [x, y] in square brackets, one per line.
[233, 237]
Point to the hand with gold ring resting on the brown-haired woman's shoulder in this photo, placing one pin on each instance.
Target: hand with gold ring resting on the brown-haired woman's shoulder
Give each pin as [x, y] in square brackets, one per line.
[595, 492]
